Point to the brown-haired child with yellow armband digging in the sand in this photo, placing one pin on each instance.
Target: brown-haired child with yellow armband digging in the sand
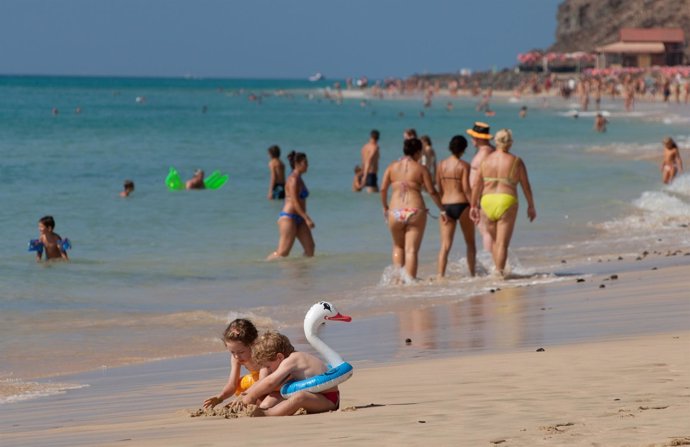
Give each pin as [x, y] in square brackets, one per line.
[238, 338]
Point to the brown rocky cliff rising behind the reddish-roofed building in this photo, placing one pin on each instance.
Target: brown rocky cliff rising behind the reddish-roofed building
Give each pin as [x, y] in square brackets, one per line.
[586, 24]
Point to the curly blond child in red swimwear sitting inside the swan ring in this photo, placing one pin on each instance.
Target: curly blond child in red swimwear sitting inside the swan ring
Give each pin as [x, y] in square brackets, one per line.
[275, 352]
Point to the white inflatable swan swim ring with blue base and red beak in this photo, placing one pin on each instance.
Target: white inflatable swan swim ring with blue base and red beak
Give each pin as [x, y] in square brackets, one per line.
[339, 371]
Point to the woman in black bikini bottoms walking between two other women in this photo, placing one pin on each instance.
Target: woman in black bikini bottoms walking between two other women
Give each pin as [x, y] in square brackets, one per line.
[453, 180]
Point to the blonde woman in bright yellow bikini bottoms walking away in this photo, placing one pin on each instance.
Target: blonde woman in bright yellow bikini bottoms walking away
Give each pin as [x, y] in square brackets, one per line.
[496, 185]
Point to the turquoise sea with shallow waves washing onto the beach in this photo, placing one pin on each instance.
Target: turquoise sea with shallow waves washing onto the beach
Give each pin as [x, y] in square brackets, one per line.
[159, 274]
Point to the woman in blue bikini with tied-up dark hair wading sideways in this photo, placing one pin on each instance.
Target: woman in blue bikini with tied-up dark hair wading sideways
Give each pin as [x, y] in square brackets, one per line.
[293, 221]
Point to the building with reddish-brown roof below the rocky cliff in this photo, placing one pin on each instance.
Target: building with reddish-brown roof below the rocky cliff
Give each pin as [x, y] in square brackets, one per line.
[643, 47]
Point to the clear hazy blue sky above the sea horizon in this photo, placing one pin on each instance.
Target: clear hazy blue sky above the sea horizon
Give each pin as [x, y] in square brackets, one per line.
[268, 39]
